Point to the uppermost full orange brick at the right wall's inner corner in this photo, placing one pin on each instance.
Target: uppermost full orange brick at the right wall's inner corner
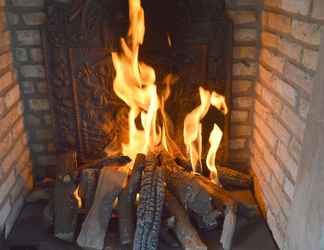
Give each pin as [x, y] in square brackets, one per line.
[277, 22]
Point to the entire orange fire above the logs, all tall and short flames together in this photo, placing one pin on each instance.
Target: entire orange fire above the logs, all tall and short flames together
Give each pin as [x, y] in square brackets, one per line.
[135, 85]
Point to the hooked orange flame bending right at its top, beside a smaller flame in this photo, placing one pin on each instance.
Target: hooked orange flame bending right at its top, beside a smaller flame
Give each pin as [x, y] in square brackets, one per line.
[192, 131]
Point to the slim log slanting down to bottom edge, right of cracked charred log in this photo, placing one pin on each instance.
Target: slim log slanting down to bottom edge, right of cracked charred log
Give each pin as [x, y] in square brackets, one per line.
[183, 229]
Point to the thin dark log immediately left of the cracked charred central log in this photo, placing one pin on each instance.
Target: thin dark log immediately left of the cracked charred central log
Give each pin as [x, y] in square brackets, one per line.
[127, 204]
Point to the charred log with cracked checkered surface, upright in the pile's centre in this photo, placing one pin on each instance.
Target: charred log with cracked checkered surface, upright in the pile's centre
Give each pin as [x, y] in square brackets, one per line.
[150, 208]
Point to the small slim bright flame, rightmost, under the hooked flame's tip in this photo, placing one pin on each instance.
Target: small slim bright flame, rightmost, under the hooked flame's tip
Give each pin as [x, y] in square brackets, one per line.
[214, 140]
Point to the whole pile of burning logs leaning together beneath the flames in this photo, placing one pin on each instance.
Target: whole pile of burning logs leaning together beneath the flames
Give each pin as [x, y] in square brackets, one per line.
[155, 195]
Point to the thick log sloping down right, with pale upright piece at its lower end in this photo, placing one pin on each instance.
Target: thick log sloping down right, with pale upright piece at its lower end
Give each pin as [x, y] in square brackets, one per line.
[200, 195]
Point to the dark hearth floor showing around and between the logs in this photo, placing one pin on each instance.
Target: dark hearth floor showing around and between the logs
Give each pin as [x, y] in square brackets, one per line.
[30, 230]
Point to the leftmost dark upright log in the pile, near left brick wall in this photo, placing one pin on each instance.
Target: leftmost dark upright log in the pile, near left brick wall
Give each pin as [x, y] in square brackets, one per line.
[65, 215]
